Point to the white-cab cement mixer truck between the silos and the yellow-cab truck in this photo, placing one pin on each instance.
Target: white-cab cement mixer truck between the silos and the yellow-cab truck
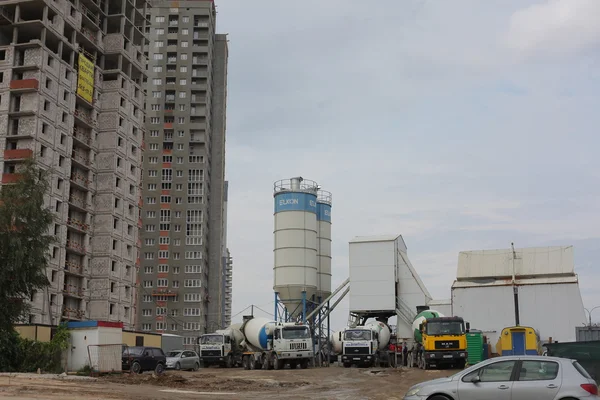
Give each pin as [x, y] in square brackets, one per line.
[362, 345]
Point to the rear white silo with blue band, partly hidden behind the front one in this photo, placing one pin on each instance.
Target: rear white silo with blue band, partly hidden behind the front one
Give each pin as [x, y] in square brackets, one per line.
[323, 244]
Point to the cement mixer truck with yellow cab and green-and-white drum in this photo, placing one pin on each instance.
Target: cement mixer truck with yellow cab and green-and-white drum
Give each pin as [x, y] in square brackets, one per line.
[442, 340]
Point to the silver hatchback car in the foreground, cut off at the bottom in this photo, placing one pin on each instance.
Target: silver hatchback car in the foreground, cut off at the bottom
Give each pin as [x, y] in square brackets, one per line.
[511, 378]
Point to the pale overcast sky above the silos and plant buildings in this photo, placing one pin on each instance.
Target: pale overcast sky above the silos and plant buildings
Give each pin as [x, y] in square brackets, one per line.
[461, 125]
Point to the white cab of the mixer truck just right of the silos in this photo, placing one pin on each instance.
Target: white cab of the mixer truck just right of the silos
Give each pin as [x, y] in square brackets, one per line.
[359, 347]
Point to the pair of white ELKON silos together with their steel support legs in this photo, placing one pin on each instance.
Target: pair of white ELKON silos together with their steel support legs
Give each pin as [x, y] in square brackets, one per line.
[302, 254]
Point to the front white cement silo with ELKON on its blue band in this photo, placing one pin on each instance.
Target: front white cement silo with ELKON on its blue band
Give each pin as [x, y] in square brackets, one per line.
[295, 234]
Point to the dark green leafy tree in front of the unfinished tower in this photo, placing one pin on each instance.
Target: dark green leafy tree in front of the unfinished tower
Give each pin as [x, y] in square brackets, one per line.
[24, 242]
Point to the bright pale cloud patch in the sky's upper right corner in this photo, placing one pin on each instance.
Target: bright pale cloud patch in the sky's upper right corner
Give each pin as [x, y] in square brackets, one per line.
[555, 27]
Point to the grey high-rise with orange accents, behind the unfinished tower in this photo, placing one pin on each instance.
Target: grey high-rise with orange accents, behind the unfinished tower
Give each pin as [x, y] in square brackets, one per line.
[181, 278]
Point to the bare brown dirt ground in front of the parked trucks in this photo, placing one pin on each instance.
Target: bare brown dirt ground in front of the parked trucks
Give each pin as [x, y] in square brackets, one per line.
[214, 383]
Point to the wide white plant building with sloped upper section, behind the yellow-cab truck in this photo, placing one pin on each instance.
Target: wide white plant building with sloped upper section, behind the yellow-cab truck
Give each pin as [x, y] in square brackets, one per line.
[549, 299]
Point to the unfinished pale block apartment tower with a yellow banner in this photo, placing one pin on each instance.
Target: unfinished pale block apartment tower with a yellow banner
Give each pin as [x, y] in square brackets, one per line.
[70, 87]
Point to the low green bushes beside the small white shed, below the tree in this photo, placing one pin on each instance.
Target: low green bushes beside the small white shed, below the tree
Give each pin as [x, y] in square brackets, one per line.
[24, 355]
